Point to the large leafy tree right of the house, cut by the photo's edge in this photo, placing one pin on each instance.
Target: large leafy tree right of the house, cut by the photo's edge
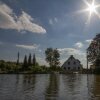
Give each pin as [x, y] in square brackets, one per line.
[93, 51]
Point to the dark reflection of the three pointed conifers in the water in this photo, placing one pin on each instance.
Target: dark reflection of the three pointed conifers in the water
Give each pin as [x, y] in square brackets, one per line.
[29, 82]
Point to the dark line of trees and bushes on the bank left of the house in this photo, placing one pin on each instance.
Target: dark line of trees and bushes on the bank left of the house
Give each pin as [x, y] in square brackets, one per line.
[30, 64]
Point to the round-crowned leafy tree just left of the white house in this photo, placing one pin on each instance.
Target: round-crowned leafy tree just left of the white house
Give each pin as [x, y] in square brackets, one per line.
[52, 57]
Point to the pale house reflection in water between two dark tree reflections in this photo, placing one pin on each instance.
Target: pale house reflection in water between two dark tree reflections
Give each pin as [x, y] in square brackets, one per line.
[74, 87]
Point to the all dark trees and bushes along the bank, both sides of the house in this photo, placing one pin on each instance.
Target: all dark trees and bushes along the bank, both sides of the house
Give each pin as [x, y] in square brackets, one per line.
[52, 57]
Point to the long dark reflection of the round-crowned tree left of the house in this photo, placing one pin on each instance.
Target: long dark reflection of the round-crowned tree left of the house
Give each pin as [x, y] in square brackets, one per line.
[53, 87]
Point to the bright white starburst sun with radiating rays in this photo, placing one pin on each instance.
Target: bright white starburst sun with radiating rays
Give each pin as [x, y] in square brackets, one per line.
[90, 9]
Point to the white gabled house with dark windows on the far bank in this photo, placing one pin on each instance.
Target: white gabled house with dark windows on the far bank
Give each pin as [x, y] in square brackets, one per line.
[72, 64]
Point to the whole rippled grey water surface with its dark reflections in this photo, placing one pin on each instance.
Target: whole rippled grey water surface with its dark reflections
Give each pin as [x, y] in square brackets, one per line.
[49, 87]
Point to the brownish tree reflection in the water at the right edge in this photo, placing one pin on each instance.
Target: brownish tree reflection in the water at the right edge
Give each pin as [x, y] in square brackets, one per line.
[96, 87]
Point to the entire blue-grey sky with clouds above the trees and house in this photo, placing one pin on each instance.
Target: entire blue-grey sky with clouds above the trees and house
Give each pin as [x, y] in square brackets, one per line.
[31, 26]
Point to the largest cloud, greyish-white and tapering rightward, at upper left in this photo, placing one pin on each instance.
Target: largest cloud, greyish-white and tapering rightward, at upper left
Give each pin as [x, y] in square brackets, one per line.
[24, 22]
